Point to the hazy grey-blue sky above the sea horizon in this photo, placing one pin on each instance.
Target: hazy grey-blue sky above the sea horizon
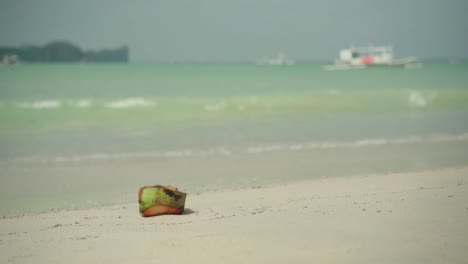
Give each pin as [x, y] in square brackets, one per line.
[168, 30]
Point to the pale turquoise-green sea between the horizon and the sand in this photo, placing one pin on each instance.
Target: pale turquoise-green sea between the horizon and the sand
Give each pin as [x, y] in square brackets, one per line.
[89, 135]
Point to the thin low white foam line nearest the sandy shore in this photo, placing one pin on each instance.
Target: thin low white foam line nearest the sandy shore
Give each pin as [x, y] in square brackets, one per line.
[249, 150]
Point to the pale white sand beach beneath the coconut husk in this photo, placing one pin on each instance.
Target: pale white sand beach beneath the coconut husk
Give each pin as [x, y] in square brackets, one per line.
[395, 218]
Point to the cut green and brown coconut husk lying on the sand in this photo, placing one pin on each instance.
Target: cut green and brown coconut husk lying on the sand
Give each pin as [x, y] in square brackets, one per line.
[157, 200]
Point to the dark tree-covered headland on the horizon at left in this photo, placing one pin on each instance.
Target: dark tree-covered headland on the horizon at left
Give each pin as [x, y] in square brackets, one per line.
[62, 51]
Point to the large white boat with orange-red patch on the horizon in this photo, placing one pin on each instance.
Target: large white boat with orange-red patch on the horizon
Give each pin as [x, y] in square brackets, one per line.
[361, 58]
